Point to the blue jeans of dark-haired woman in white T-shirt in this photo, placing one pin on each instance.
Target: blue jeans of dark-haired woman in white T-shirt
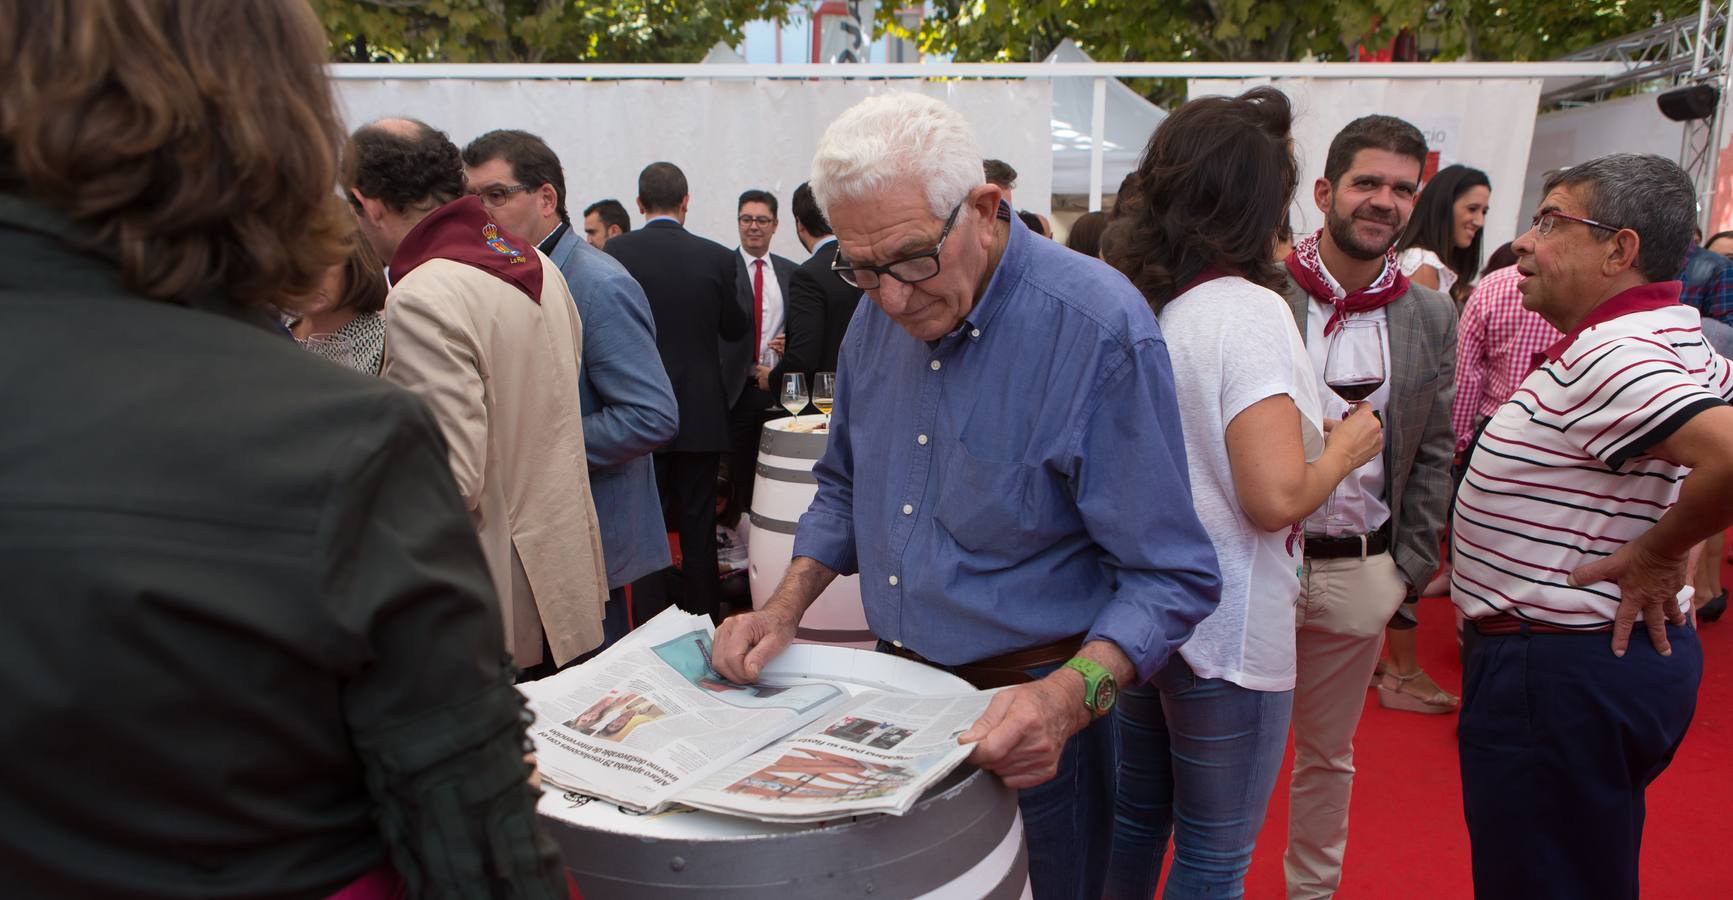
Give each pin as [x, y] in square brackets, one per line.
[1198, 760]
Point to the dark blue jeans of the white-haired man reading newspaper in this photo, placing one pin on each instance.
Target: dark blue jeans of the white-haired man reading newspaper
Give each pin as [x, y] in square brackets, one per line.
[1068, 821]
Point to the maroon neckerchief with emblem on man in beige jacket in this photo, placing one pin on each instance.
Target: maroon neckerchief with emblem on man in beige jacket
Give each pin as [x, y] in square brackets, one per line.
[462, 232]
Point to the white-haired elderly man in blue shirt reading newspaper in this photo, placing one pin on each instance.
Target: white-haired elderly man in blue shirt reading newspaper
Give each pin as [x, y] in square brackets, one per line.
[1006, 473]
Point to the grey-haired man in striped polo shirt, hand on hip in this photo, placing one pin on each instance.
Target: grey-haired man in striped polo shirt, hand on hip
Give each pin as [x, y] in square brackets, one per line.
[1581, 504]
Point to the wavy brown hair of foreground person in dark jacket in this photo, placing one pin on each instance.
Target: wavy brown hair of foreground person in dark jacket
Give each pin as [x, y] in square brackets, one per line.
[191, 141]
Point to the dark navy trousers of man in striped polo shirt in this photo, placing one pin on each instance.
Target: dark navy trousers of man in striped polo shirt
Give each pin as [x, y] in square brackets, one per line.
[1559, 741]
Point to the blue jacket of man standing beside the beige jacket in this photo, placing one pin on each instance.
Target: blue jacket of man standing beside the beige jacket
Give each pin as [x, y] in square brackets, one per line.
[628, 407]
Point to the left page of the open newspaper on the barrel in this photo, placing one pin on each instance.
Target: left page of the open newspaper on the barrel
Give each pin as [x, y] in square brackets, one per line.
[651, 717]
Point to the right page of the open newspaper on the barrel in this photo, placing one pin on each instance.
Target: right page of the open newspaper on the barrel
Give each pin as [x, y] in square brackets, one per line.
[874, 755]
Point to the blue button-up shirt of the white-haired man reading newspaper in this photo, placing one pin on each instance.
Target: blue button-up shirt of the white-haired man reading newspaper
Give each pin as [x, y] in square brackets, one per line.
[1022, 479]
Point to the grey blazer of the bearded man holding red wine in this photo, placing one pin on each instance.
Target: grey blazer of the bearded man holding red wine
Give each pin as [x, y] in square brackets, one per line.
[1418, 438]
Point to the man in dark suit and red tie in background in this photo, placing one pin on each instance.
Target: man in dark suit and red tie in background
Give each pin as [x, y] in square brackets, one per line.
[762, 282]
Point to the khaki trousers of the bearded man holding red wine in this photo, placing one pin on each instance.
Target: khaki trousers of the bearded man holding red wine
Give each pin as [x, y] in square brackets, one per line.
[1340, 625]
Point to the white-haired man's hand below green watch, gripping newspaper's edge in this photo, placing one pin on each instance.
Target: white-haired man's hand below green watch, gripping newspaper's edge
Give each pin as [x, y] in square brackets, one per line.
[1025, 729]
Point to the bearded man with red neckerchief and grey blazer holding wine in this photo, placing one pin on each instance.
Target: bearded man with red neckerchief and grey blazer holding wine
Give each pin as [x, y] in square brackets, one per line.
[1380, 544]
